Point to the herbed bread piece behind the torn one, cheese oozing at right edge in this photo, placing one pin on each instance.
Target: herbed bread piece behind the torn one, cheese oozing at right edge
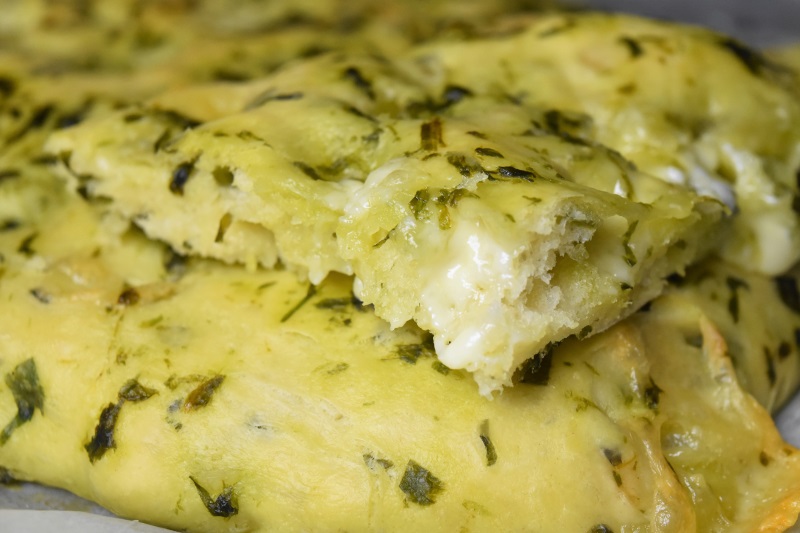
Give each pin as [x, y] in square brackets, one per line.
[688, 105]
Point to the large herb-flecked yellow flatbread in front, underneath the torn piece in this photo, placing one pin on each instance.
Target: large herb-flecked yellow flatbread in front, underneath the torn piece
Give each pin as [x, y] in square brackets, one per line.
[210, 398]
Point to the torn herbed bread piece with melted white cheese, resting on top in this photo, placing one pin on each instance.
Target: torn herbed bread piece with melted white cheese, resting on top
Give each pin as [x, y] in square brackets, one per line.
[497, 237]
